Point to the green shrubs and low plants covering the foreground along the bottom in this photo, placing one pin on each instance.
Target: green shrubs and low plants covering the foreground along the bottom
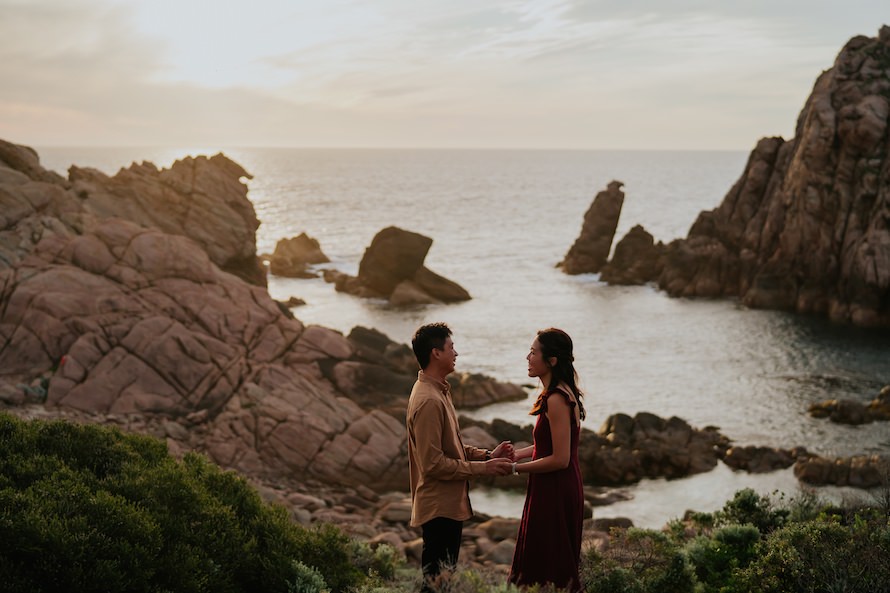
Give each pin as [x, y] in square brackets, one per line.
[88, 508]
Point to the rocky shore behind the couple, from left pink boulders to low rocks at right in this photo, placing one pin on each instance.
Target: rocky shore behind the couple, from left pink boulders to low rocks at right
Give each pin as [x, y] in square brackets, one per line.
[138, 300]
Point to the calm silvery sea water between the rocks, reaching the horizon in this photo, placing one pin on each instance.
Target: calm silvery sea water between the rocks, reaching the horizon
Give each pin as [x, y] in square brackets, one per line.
[500, 221]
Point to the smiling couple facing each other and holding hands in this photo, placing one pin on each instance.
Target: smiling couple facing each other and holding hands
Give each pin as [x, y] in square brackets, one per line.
[548, 546]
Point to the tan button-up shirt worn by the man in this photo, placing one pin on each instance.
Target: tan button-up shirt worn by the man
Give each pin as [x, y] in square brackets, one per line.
[439, 463]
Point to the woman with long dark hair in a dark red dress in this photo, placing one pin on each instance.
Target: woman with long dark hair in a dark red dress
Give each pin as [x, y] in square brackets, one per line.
[548, 549]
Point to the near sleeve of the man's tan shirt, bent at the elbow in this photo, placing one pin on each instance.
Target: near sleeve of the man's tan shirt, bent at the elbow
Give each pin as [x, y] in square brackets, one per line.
[429, 422]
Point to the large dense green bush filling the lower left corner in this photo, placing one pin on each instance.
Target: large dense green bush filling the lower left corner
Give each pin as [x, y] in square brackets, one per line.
[88, 508]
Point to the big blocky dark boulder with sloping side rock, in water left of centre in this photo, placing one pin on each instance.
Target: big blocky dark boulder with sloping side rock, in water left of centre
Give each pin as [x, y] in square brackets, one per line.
[392, 268]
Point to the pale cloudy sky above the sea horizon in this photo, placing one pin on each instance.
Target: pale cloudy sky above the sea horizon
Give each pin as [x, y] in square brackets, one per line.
[523, 74]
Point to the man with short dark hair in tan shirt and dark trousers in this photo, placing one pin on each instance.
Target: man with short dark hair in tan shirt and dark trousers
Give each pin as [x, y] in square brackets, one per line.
[440, 464]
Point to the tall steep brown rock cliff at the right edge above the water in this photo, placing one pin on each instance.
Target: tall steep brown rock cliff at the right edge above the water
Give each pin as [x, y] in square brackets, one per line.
[807, 226]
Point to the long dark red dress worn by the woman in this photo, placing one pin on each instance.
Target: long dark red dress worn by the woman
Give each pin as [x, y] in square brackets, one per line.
[548, 548]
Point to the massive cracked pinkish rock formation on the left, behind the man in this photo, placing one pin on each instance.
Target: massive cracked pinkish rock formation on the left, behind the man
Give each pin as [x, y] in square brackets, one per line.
[112, 310]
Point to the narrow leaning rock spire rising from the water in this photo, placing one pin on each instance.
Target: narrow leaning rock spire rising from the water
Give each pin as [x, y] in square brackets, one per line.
[591, 249]
